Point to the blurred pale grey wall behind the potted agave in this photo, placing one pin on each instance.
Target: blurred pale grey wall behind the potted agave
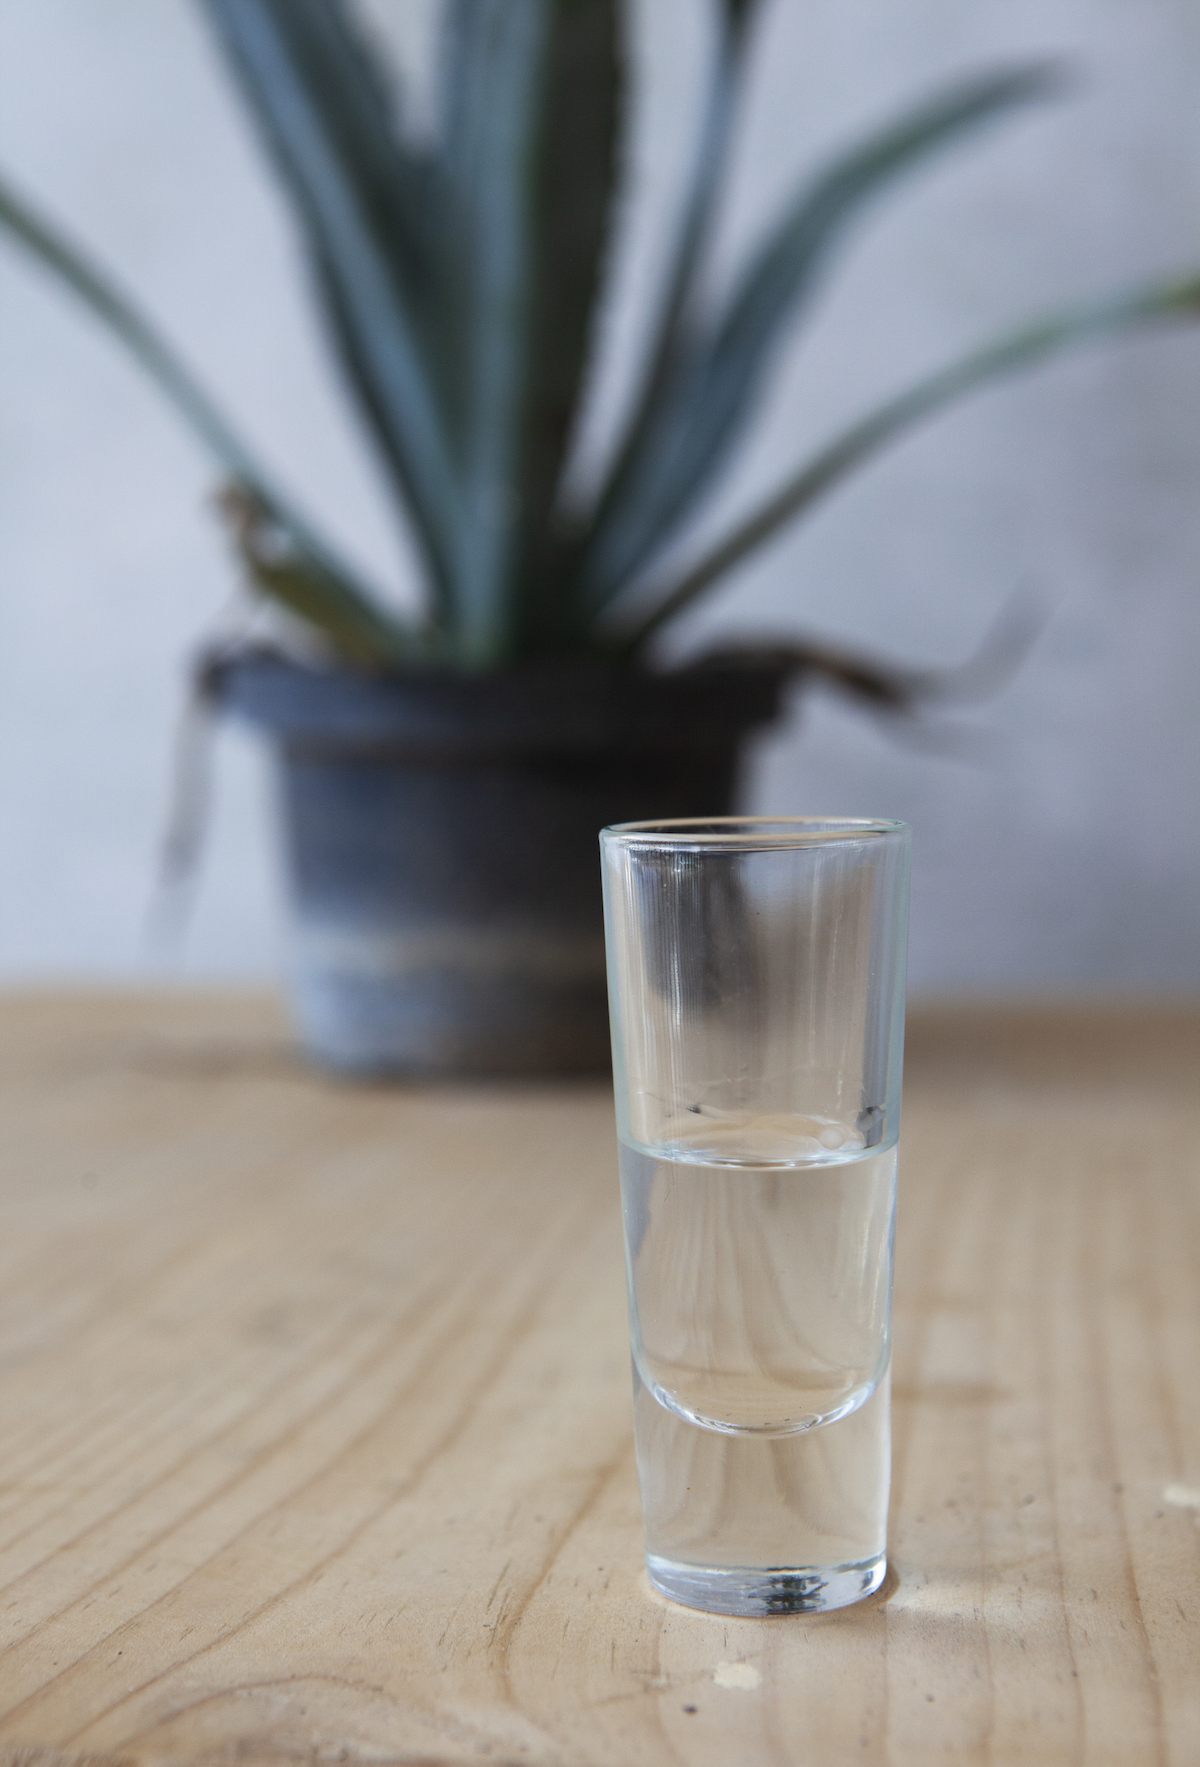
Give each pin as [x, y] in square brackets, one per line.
[1056, 854]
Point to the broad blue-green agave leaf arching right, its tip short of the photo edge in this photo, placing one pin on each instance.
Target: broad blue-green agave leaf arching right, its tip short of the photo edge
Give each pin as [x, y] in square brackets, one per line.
[699, 413]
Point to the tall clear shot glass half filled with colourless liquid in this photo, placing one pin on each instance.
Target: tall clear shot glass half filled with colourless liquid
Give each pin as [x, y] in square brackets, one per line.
[757, 990]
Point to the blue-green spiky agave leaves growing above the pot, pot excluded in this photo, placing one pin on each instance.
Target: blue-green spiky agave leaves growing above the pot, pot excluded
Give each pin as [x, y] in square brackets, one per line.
[460, 284]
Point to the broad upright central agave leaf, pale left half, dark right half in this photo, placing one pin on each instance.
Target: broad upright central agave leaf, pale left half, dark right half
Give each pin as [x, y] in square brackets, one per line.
[531, 95]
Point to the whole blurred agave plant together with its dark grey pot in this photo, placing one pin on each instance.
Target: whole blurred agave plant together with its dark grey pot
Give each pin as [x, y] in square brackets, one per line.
[446, 777]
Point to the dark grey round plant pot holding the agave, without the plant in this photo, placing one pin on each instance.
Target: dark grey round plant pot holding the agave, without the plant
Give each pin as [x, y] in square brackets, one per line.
[443, 842]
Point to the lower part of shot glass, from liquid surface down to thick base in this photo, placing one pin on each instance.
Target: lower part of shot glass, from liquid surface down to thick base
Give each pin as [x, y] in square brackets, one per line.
[761, 1326]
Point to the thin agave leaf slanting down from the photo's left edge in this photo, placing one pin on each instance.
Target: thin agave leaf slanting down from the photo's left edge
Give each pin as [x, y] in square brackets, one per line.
[335, 596]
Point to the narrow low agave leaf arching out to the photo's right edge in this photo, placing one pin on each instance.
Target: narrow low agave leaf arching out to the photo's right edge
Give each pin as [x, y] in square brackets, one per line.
[1162, 303]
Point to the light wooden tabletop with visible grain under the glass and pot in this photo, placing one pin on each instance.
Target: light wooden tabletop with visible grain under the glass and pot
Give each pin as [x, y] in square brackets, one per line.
[315, 1437]
